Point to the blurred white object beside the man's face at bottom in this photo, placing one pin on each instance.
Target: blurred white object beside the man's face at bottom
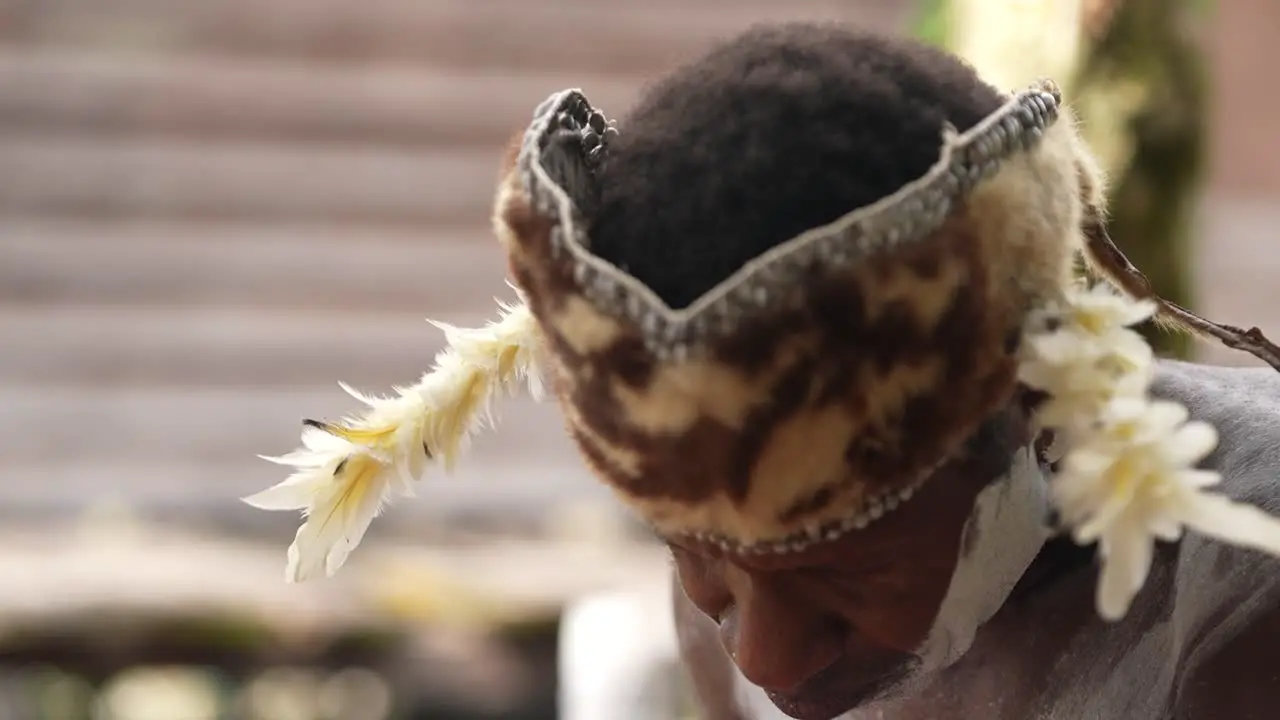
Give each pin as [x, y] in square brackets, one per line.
[619, 658]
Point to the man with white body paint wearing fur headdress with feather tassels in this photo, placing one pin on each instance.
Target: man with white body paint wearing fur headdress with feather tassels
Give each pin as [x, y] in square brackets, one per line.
[812, 312]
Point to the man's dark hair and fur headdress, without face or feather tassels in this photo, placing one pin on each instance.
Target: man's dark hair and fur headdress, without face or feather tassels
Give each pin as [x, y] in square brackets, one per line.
[821, 382]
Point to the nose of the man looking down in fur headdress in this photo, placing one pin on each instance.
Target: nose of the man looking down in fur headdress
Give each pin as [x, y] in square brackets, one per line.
[778, 642]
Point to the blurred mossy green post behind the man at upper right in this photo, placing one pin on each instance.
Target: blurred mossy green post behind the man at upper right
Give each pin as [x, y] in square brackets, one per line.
[1142, 93]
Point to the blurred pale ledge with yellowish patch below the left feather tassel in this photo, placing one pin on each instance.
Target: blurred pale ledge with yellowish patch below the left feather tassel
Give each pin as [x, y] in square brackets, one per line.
[70, 577]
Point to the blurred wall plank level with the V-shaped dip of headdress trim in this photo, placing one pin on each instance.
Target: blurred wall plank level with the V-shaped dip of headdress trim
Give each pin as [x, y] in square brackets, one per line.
[122, 347]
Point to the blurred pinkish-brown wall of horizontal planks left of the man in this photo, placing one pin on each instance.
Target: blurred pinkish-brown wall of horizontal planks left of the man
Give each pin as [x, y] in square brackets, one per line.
[213, 211]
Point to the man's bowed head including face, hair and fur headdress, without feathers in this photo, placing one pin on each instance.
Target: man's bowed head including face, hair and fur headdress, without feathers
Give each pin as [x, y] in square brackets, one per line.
[783, 308]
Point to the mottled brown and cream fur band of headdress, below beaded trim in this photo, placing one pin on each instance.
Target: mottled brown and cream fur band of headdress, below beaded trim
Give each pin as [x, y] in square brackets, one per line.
[833, 398]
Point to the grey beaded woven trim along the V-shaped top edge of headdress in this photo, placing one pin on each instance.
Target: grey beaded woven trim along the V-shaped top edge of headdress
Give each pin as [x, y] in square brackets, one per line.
[912, 213]
